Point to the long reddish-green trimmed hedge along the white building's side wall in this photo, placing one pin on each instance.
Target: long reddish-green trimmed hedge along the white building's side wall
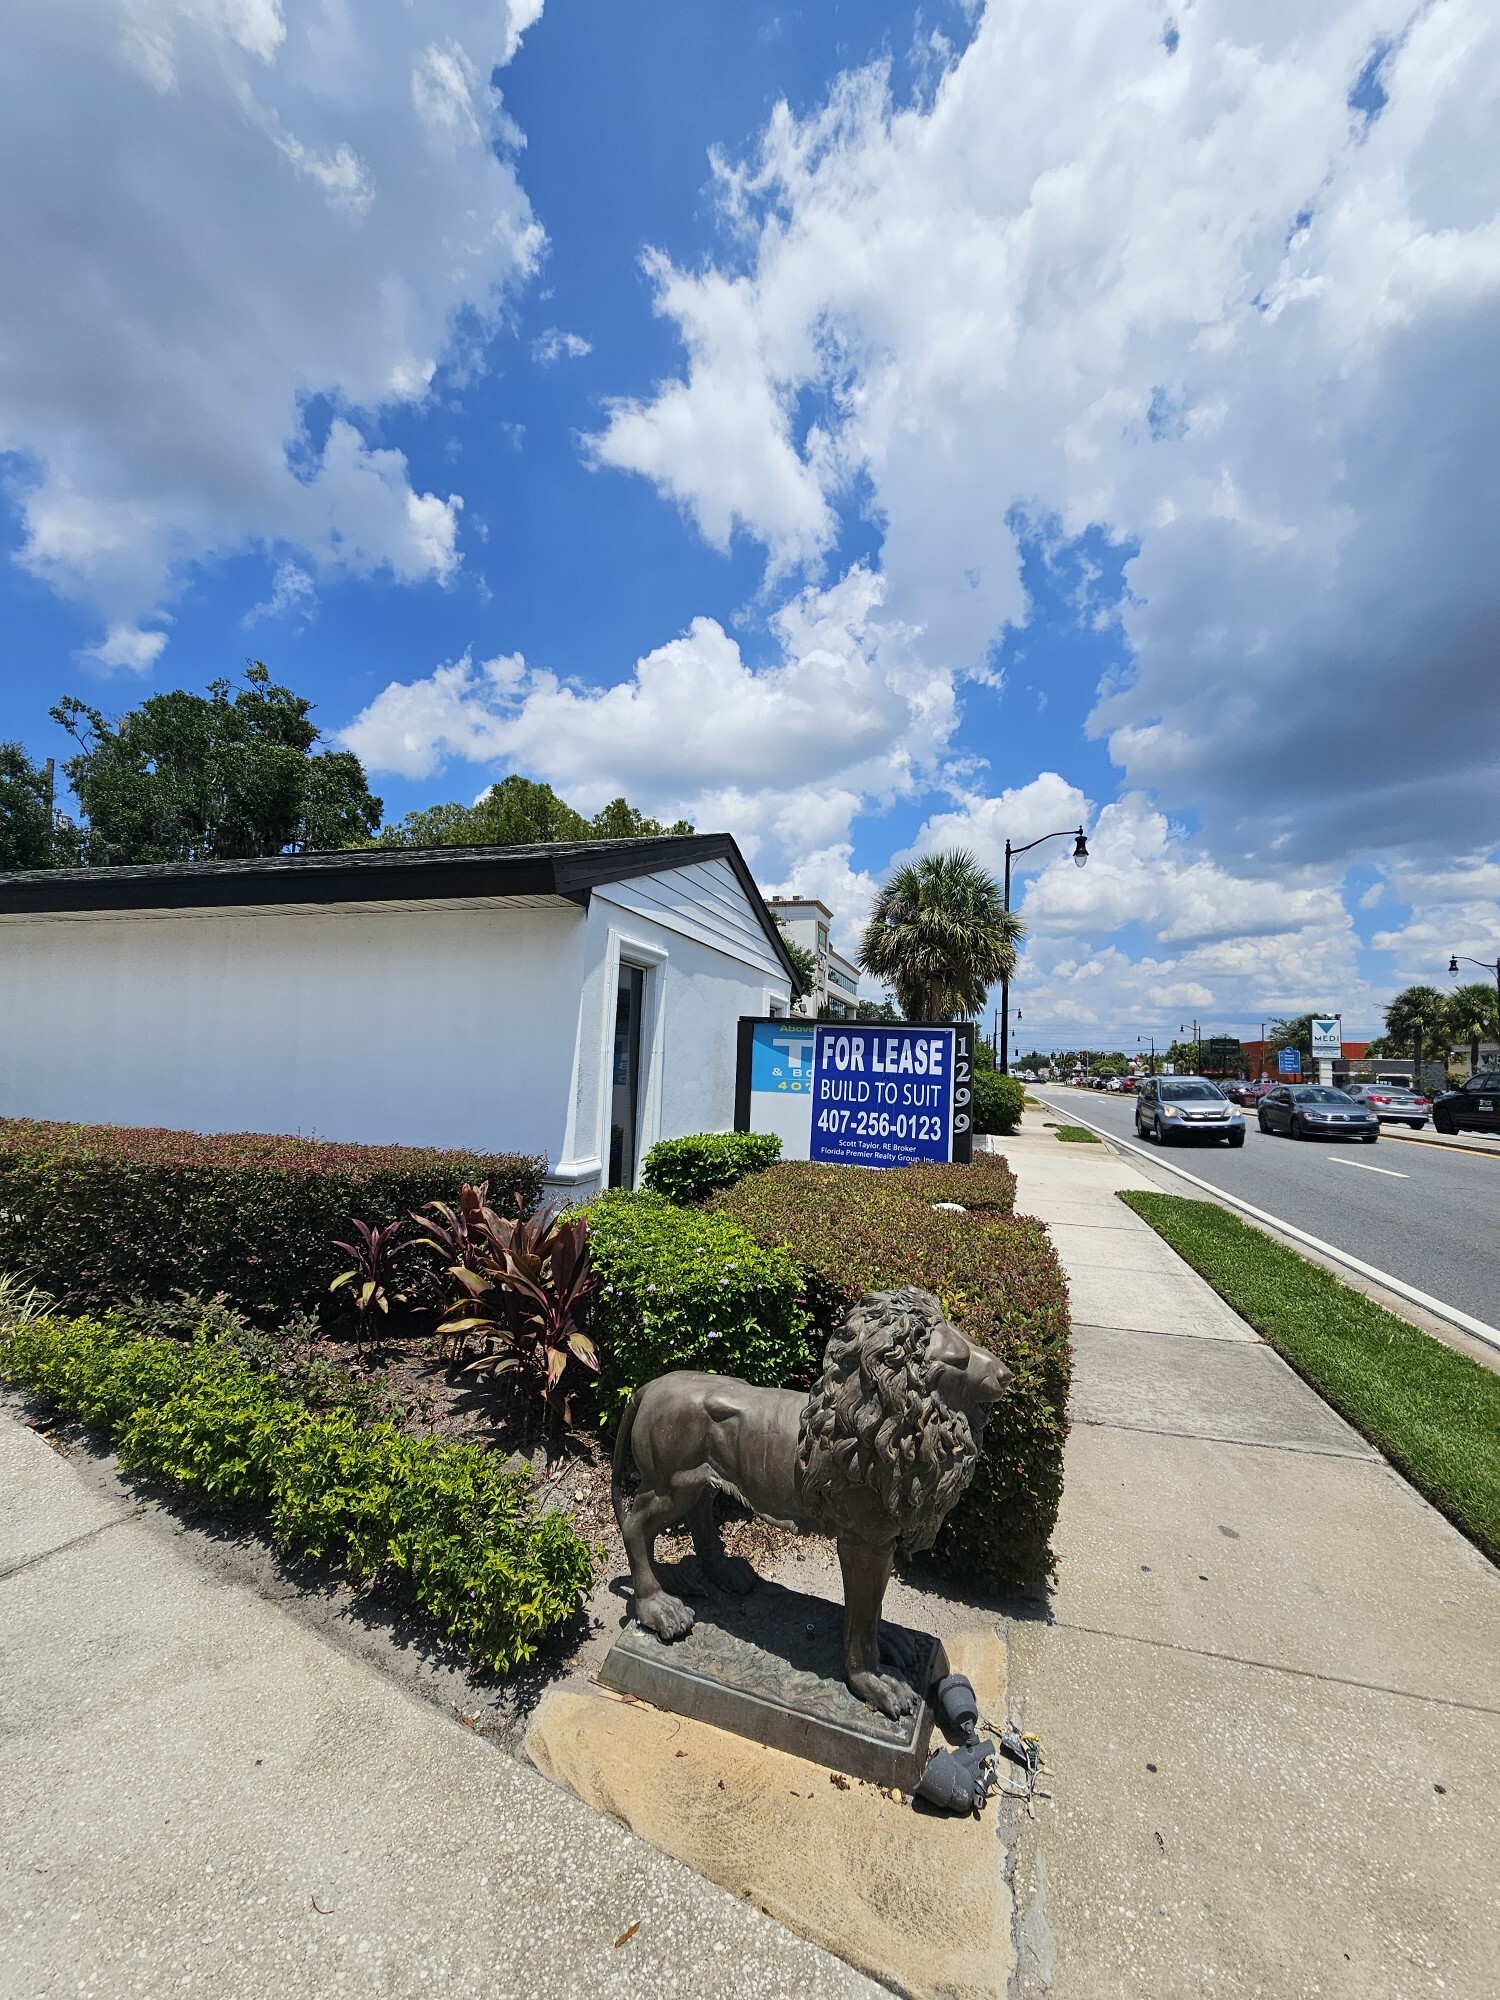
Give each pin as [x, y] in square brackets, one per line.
[97, 1215]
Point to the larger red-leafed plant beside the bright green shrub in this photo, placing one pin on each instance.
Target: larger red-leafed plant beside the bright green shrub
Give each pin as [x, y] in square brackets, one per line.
[521, 1283]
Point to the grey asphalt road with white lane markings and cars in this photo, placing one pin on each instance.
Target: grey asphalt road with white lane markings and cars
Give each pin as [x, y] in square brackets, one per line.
[1427, 1217]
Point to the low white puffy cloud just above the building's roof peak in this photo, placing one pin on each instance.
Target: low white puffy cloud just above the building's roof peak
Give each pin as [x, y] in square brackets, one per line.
[781, 755]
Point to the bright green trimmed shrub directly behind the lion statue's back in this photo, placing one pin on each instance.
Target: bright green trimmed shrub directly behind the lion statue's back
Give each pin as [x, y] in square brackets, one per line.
[689, 1289]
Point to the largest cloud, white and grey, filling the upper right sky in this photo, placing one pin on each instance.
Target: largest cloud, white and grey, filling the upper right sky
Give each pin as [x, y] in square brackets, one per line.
[1193, 291]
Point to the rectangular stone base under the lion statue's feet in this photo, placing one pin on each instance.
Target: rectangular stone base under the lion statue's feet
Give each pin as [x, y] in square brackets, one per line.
[769, 1667]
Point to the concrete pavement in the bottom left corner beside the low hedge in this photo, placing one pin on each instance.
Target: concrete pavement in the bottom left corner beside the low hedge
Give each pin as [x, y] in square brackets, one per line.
[199, 1795]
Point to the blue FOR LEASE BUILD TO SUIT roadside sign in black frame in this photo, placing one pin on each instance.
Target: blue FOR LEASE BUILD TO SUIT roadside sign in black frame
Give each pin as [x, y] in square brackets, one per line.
[859, 1093]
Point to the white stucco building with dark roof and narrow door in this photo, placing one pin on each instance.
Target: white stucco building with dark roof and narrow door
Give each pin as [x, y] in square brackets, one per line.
[575, 1001]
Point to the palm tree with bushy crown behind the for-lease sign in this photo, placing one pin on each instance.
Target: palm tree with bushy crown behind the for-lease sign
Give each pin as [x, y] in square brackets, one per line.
[941, 937]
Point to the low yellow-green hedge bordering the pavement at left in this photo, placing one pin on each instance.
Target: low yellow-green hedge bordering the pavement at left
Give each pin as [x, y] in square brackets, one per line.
[447, 1519]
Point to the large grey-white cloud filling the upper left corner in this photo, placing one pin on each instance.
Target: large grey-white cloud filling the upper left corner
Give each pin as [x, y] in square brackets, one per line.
[309, 205]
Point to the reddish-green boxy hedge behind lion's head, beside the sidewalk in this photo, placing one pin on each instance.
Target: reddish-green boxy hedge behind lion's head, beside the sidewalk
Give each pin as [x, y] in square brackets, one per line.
[999, 1279]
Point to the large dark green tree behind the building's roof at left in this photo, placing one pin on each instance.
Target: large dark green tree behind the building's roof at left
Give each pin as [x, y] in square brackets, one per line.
[229, 775]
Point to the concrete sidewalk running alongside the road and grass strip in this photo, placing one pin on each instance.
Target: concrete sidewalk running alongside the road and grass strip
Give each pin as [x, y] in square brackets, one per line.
[1271, 1675]
